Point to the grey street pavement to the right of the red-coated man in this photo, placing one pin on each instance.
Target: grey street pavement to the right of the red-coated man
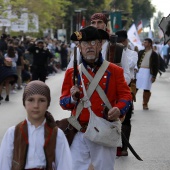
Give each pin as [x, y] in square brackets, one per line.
[150, 135]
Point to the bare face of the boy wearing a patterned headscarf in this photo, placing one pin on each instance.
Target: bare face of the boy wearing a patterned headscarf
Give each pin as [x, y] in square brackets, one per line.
[36, 106]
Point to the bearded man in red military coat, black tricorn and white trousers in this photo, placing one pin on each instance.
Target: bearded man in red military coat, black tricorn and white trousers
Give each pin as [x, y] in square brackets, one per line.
[113, 84]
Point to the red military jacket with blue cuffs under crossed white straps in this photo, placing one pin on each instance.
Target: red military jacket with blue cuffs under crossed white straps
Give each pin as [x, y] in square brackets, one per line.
[113, 84]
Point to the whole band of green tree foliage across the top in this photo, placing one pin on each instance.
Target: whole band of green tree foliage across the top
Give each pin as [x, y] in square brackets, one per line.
[54, 13]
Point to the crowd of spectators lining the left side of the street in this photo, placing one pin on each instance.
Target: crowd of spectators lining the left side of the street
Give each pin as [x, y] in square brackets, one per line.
[32, 59]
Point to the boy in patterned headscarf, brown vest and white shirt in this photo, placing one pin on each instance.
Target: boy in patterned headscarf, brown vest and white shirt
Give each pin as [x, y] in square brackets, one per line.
[35, 143]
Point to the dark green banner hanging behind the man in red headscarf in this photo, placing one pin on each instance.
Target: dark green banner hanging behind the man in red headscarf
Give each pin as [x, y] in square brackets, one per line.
[116, 21]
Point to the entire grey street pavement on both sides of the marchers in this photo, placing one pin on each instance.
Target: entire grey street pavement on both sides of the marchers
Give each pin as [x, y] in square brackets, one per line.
[150, 134]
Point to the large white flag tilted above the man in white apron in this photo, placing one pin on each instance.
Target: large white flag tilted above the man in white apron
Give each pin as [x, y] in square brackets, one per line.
[134, 37]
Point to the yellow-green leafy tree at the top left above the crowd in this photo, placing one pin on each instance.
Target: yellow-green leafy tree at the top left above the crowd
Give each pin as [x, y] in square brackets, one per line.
[49, 12]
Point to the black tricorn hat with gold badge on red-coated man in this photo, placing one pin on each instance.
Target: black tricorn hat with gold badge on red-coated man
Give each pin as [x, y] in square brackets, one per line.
[89, 33]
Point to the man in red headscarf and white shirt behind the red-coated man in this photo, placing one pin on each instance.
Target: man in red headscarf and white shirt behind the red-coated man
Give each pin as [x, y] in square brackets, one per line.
[99, 21]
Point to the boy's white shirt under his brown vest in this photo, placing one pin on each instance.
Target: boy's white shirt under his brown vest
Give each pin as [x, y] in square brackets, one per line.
[35, 155]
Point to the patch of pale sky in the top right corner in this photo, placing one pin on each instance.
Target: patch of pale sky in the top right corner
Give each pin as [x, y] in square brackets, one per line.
[162, 5]
